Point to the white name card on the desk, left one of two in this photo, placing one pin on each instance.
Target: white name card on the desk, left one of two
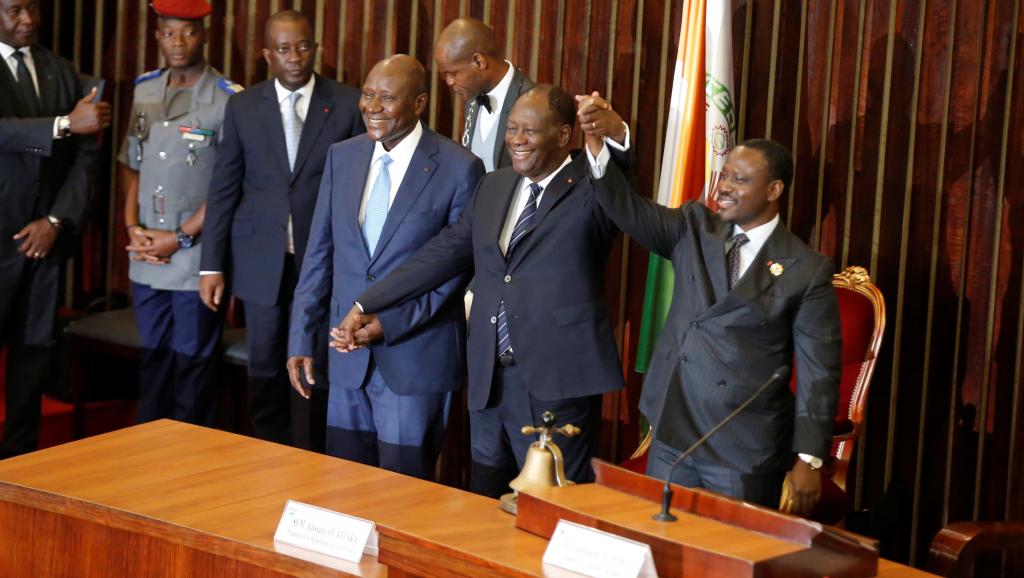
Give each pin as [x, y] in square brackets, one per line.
[326, 532]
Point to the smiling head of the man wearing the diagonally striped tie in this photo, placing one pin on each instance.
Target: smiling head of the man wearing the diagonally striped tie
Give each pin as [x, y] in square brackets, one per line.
[537, 142]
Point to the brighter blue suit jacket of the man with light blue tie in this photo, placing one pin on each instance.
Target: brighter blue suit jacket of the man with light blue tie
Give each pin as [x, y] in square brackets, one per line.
[423, 347]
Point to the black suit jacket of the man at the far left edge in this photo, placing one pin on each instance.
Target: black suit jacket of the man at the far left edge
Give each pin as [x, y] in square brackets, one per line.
[39, 177]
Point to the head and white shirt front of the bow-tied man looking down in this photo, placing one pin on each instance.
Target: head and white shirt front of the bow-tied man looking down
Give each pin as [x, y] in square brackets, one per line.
[470, 62]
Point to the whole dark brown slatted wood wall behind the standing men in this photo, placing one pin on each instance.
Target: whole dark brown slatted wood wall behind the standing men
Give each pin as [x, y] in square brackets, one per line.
[906, 117]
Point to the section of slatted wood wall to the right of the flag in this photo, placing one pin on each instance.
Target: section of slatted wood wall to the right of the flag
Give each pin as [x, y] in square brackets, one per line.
[906, 117]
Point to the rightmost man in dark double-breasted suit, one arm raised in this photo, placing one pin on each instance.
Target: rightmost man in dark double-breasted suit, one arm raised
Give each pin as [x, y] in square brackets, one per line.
[749, 298]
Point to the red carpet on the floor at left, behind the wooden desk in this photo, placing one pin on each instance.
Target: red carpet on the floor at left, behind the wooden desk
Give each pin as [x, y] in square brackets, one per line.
[57, 425]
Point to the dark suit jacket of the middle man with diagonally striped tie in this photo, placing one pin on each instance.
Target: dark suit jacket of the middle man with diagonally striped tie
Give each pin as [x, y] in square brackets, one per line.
[552, 286]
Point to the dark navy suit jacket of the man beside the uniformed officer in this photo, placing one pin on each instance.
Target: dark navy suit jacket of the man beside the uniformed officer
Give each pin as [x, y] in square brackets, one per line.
[253, 191]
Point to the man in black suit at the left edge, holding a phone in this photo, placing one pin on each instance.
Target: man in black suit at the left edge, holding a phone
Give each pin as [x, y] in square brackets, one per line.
[47, 163]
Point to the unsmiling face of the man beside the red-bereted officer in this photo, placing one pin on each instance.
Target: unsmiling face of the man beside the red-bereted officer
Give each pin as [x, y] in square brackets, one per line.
[290, 51]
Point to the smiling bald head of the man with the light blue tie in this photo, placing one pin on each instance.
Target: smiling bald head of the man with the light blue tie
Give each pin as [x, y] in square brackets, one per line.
[393, 102]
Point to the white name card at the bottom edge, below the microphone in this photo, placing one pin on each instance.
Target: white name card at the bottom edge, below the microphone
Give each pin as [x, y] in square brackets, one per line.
[593, 553]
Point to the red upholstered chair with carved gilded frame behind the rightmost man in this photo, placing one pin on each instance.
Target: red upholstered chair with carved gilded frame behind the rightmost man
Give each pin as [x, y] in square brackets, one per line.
[863, 315]
